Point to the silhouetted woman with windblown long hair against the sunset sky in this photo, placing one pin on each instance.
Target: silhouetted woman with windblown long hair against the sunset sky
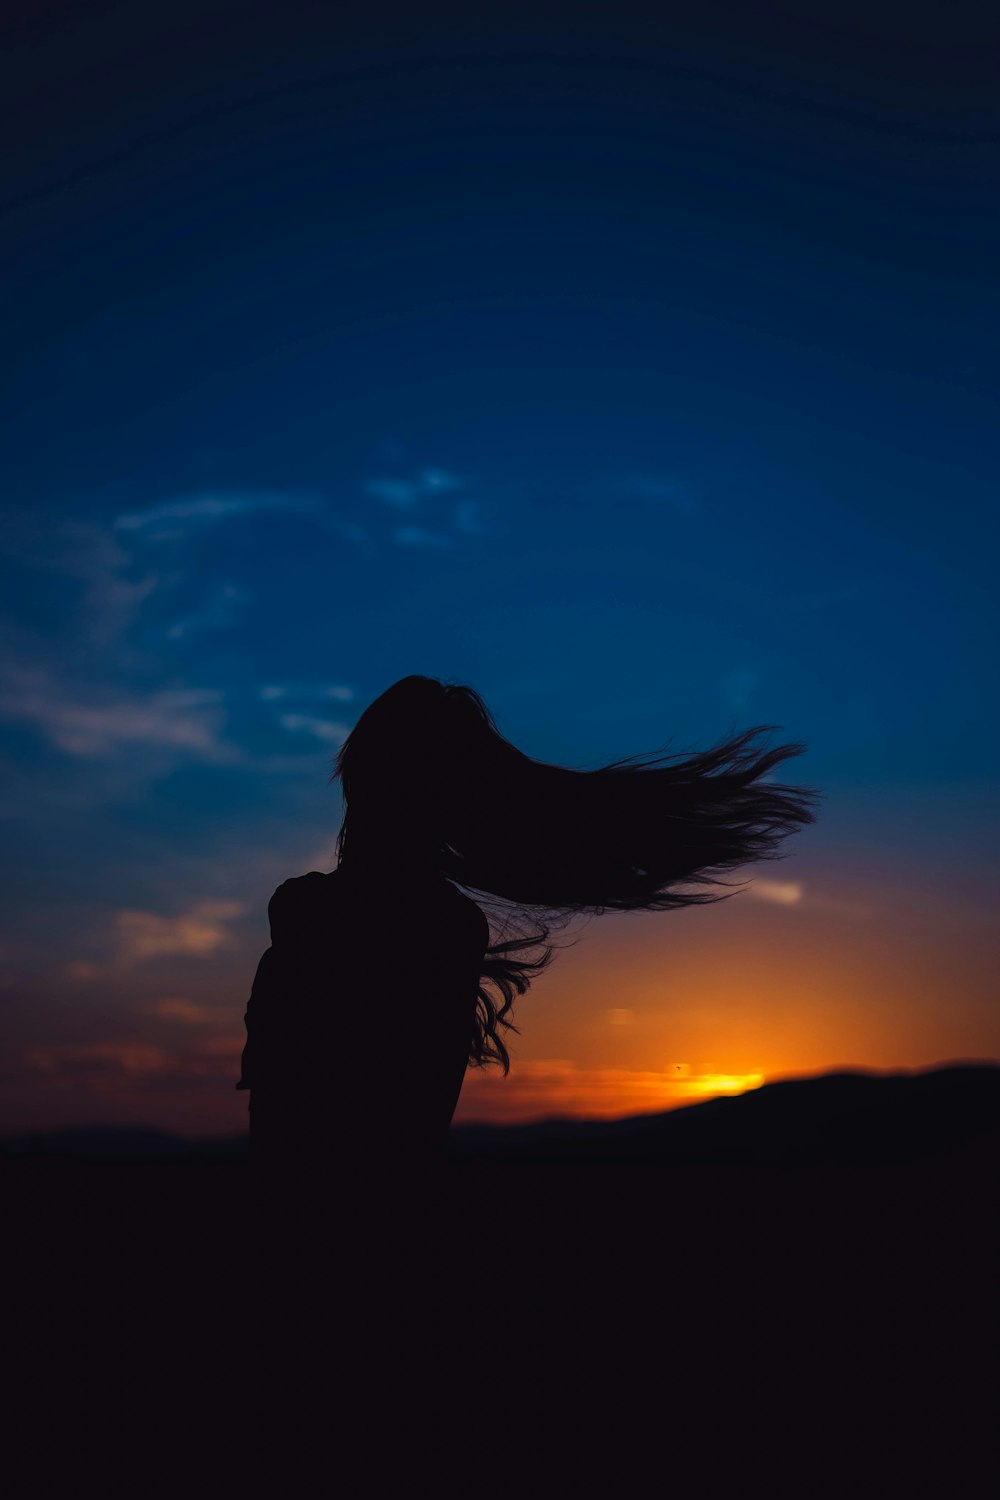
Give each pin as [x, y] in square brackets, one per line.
[382, 983]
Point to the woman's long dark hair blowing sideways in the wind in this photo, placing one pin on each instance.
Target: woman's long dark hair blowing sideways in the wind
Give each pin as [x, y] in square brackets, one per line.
[537, 845]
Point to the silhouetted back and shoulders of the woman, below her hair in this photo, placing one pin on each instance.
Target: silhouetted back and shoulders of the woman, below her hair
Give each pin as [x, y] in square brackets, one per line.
[361, 1021]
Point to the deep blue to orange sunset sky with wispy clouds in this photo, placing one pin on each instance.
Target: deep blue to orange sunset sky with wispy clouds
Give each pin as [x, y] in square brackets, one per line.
[642, 376]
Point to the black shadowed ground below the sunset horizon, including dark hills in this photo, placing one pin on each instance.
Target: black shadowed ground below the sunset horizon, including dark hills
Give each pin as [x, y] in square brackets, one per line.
[815, 1264]
